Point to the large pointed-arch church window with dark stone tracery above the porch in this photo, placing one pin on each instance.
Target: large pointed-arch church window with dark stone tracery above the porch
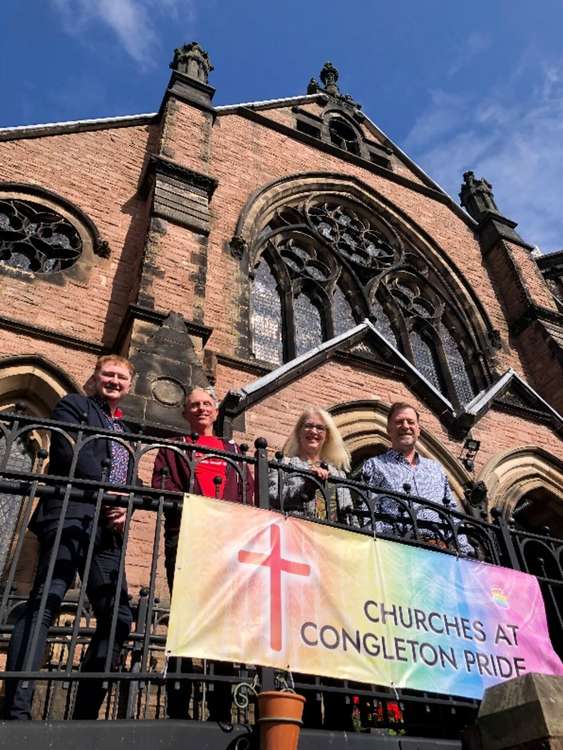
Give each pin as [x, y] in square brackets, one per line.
[324, 264]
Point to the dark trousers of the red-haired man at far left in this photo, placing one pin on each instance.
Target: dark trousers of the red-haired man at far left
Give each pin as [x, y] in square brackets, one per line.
[101, 590]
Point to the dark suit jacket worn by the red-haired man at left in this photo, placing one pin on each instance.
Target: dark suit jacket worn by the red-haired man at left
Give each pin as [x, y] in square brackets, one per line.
[74, 409]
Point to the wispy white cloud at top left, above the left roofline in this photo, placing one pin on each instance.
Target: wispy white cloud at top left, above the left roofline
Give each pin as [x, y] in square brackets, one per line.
[132, 21]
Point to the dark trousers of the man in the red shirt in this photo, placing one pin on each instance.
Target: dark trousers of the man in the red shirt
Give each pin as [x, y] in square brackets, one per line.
[178, 692]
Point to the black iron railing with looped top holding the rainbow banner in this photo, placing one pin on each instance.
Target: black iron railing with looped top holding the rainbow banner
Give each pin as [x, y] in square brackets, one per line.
[137, 686]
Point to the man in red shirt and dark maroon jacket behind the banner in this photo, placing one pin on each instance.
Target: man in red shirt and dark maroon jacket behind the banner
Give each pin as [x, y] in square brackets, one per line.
[202, 474]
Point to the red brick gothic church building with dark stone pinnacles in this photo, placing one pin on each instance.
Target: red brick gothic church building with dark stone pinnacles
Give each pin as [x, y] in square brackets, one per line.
[289, 253]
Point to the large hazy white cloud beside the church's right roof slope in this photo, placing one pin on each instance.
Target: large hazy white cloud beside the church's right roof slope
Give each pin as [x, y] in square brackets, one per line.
[514, 139]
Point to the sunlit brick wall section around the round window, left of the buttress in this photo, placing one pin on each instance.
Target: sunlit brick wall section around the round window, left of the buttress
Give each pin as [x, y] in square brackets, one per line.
[98, 171]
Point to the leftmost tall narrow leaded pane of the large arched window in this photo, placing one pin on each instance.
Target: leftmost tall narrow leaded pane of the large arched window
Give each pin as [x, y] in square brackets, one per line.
[266, 317]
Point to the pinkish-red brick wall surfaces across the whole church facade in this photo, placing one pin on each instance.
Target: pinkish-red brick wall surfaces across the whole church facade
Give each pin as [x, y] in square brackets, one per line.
[198, 277]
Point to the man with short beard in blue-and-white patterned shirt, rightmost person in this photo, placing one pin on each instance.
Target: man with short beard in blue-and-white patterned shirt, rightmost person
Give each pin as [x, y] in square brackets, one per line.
[402, 469]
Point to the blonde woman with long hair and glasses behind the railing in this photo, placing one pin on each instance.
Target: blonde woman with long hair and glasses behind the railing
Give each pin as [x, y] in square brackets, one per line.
[315, 440]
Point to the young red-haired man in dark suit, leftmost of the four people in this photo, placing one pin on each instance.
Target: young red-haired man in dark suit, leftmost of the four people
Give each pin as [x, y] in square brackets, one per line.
[99, 459]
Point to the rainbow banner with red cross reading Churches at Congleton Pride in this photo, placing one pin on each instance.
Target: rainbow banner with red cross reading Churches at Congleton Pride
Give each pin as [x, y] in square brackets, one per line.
[256, 587]
